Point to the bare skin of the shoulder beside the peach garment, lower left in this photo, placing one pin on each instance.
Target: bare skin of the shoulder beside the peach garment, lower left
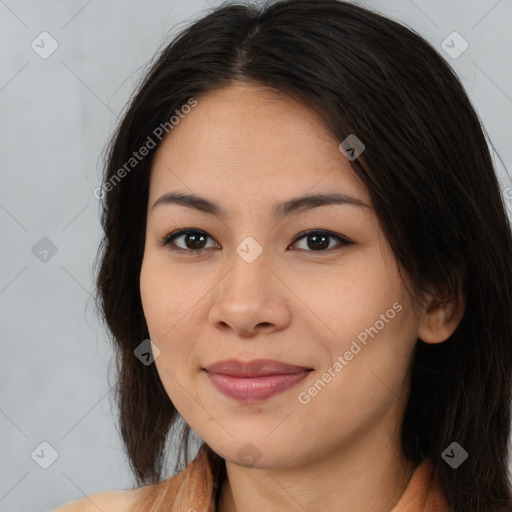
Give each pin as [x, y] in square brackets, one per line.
[113, 501]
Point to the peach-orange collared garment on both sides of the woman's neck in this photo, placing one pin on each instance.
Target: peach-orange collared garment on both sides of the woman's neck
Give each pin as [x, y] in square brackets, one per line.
[192, 490]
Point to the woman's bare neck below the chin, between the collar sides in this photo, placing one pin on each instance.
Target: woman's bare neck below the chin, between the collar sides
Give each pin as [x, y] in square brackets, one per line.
[366, 475]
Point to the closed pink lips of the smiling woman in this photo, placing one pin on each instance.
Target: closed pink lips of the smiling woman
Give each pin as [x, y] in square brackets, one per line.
[254, 381]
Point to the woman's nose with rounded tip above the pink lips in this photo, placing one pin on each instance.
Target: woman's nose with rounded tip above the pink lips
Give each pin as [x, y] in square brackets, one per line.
[251, 299]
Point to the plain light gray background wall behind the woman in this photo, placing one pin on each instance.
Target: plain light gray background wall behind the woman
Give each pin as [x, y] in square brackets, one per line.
[56, 115]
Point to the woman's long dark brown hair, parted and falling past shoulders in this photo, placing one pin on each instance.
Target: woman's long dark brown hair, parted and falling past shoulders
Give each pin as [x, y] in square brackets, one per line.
[430, 176]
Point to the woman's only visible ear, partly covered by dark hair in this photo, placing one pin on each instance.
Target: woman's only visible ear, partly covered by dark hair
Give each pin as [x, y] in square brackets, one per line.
[440, 318]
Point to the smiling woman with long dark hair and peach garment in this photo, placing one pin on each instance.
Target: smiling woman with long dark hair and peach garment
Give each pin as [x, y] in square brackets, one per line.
[307, 259]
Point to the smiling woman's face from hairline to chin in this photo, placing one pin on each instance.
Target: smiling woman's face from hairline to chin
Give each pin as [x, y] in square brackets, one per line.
[316, 287]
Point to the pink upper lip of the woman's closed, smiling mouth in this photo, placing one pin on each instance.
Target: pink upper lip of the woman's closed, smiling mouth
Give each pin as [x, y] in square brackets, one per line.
[254, 368]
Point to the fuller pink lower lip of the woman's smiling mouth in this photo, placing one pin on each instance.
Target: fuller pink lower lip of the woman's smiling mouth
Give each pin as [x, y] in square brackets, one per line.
[254, 389]
